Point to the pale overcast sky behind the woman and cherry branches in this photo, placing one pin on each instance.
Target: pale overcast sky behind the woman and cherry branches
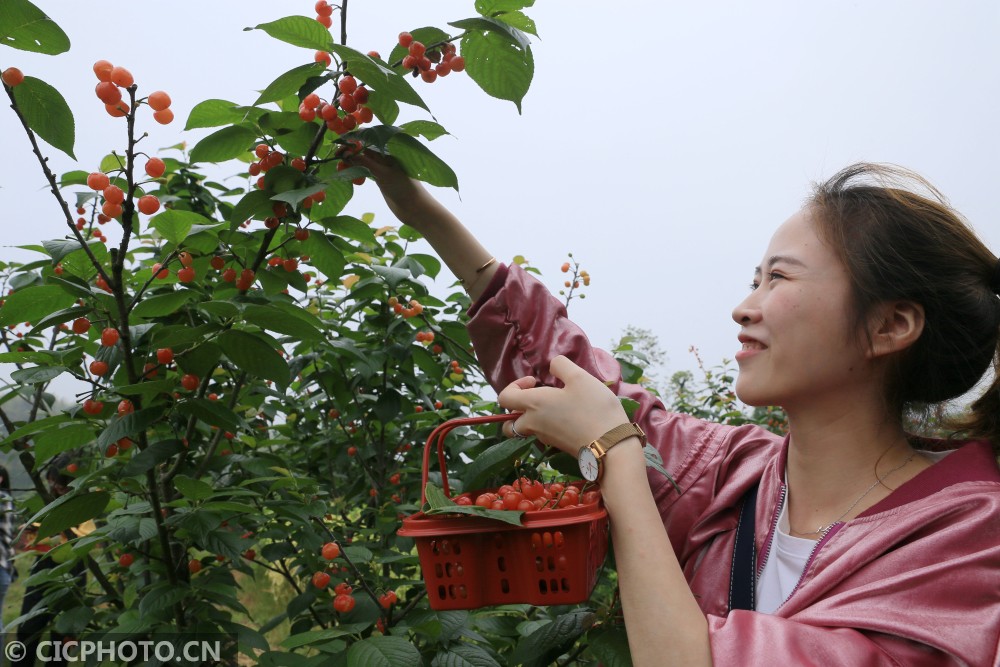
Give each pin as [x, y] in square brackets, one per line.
[661, 142]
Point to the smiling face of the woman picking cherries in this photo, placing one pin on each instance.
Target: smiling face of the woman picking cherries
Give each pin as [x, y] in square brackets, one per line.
[797, 343]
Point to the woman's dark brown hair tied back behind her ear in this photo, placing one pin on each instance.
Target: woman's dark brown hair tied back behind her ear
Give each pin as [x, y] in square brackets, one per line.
[901, 241]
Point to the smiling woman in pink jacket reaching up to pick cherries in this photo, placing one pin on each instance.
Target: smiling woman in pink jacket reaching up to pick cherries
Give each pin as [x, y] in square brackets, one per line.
[872, 546]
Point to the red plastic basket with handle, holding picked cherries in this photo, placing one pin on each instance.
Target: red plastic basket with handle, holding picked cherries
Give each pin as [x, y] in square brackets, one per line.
[470, 562]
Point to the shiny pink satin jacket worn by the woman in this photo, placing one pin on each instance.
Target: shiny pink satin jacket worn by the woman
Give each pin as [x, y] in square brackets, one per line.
[913, 581]
